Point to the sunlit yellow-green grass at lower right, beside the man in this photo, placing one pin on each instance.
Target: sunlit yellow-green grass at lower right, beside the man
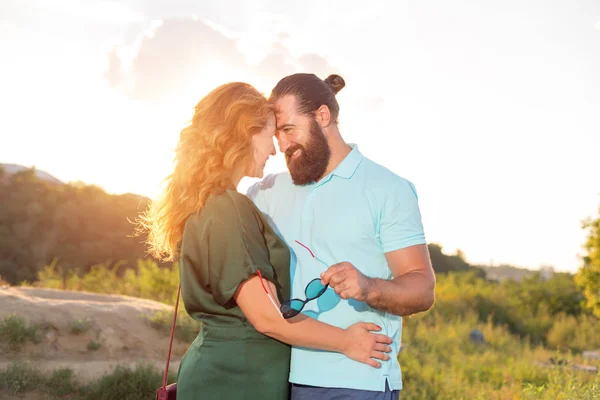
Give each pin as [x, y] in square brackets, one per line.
[440, 362]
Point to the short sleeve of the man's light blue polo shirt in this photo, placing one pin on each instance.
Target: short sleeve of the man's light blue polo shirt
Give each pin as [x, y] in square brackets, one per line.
[401, 224]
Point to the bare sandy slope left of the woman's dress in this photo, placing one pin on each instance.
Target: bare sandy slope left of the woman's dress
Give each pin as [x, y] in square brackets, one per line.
[119, 324]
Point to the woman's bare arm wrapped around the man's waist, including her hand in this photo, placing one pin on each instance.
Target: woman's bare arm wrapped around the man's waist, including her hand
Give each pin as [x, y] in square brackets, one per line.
[356, 342]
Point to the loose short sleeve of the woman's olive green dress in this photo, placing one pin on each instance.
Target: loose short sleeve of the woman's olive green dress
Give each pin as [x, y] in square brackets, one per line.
[230, 245]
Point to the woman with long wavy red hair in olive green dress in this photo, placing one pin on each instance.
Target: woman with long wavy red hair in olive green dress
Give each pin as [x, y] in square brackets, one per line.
[229, 257]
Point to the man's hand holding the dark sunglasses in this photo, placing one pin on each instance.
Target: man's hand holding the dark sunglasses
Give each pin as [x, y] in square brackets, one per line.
[347, 281]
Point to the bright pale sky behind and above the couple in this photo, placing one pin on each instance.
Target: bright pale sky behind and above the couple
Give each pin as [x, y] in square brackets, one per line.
[492, 110]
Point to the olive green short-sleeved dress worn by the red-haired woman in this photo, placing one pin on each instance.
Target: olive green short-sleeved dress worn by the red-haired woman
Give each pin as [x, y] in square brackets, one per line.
[223, 245]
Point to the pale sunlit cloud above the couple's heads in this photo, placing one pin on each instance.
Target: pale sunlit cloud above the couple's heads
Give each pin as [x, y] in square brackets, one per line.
[180, 51]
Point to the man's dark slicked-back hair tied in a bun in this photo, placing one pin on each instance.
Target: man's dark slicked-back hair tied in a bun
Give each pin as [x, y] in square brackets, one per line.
[311, 92]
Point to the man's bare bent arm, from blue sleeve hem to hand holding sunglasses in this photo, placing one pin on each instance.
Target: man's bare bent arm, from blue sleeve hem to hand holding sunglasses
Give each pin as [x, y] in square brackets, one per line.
[409, 292]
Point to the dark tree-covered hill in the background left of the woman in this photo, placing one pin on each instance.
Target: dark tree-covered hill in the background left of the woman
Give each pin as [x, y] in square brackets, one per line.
[79, 225]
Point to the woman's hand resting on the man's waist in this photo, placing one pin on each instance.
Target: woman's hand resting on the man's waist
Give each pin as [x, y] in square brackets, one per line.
[363, 346]
